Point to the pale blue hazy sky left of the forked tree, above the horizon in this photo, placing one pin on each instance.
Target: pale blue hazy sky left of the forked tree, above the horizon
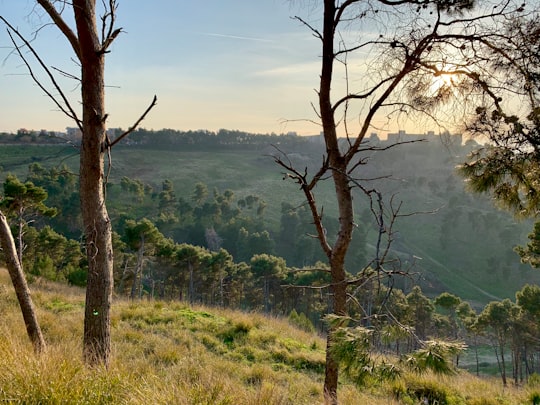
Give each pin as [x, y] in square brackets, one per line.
[235, 64]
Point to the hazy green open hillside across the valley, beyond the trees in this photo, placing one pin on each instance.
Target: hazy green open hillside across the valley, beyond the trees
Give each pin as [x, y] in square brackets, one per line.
[464, 243]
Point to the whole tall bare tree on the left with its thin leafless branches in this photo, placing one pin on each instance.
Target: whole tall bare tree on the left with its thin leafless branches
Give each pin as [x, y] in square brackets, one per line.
[90, 44]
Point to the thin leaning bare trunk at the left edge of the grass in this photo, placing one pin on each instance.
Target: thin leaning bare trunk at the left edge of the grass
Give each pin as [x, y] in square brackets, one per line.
[21, 287]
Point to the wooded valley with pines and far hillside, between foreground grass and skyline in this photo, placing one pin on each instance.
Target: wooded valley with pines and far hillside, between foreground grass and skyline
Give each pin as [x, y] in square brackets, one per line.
[216, 237]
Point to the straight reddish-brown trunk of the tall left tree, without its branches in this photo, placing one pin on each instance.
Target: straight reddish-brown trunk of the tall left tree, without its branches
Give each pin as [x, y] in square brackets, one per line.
[96, 222]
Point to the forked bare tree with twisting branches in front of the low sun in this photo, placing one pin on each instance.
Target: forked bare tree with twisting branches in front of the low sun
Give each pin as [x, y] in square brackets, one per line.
[397, 53]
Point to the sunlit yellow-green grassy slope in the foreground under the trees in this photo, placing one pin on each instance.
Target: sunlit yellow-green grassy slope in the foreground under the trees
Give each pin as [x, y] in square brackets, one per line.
[171, 353]
